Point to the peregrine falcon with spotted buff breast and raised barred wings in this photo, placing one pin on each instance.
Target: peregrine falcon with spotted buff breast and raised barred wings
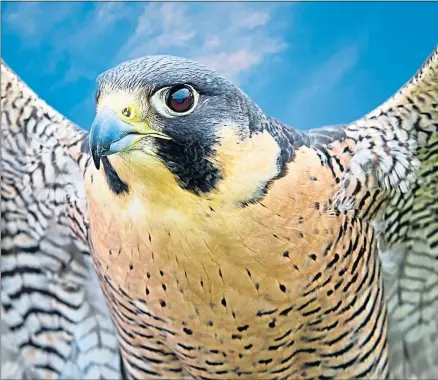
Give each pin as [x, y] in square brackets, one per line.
[227, 245]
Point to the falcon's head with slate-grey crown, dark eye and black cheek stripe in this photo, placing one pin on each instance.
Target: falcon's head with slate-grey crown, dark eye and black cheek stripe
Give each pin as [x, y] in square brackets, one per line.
[174, 124]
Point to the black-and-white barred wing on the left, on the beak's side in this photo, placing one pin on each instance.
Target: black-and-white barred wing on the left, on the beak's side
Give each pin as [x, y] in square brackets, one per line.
[54, 319]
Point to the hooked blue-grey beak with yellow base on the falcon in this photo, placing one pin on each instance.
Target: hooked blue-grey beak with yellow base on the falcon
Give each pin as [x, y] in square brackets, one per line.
[110, 135]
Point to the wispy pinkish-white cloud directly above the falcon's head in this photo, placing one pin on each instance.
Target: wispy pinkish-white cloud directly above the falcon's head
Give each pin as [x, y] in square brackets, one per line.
[232, 38]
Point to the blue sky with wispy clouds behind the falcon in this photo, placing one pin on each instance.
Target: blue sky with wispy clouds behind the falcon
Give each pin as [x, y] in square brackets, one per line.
[307, 64]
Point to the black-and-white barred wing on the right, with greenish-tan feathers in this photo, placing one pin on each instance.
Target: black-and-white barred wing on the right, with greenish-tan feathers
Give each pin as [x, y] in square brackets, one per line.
[389, 165]
